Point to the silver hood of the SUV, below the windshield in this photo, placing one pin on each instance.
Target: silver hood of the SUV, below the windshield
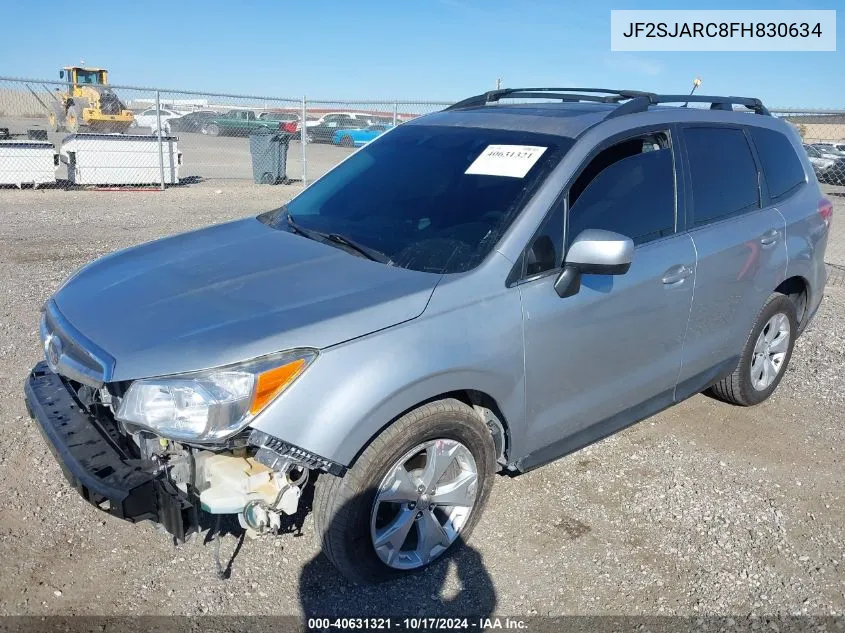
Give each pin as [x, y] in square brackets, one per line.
[232, 292]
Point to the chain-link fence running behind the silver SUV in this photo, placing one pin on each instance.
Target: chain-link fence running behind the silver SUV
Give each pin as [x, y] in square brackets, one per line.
[86, 134]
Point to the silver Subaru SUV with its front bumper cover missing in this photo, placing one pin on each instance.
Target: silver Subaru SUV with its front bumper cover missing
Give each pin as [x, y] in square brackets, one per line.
[482, 290]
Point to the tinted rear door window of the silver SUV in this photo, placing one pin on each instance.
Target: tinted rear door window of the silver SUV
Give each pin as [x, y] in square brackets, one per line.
[724, 175]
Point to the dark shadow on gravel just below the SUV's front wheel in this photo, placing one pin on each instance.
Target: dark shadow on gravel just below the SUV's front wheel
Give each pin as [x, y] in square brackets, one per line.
[432, 592]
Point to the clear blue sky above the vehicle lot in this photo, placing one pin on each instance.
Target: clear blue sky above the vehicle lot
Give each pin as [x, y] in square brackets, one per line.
[369, 49]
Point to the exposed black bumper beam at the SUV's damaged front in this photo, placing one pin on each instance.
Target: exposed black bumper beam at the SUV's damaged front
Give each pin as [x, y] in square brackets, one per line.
[95, 465]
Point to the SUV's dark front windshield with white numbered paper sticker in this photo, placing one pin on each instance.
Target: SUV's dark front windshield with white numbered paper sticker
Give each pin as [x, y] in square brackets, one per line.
[434, 199]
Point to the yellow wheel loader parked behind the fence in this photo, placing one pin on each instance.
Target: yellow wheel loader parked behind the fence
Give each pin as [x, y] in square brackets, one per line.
[88, 101]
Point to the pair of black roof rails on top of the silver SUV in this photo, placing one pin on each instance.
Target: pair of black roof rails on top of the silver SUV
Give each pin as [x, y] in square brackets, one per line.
[634, 100]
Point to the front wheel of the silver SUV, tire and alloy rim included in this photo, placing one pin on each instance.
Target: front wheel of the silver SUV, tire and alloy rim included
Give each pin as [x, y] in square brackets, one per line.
[416, 491]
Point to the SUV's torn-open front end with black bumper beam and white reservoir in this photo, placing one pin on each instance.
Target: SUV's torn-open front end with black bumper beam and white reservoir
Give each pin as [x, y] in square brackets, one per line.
[138, 475]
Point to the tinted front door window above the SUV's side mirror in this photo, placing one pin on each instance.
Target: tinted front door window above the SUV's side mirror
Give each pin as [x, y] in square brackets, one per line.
[634, 196]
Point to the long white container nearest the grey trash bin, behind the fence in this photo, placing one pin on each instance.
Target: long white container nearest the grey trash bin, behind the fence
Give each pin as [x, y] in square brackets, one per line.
[120, 159]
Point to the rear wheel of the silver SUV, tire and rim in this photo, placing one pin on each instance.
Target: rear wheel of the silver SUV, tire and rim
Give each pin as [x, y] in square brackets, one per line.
[765, 356]
